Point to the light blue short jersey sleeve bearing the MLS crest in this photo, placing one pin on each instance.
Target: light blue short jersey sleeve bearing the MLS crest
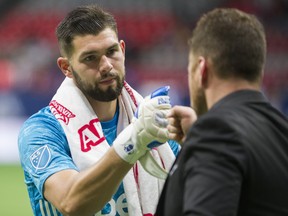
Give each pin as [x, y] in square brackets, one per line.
[43, 148]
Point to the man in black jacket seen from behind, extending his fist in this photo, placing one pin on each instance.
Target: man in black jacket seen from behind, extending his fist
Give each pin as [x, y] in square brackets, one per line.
[235, 156]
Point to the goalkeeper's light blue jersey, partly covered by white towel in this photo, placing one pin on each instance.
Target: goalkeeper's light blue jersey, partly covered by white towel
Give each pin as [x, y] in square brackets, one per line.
[44, 150]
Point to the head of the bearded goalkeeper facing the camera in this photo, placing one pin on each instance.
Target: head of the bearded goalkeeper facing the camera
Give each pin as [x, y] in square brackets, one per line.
[92, 54]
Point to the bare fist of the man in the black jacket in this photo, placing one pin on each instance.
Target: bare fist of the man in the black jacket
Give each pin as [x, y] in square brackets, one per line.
[180, 119]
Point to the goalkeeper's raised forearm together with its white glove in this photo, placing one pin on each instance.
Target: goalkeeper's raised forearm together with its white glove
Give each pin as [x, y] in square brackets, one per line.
[86, 192]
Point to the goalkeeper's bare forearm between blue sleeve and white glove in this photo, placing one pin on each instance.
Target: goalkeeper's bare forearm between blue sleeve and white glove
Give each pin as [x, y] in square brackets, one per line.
[86, 192]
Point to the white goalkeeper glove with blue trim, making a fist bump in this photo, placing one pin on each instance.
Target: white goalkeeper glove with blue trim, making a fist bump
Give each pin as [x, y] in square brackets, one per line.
[147, 130]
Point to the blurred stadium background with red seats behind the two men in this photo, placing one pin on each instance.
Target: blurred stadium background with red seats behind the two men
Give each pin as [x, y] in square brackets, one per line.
[155, 32]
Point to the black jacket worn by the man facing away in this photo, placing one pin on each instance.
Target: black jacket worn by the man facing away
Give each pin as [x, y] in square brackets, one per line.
[233, 162]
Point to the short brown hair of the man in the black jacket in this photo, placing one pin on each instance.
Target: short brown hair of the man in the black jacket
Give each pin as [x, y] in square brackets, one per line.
[233, 40]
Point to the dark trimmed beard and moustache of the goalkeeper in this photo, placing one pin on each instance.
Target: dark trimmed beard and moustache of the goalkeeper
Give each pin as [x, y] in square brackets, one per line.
[94, 91]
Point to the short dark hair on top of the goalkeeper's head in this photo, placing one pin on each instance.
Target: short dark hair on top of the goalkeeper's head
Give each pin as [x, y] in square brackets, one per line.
[83, 20]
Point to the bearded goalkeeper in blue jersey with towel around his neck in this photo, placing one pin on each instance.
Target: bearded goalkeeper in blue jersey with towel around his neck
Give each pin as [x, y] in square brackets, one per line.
[78, 155]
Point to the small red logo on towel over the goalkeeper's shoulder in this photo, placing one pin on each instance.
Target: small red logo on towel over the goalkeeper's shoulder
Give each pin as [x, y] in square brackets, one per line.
[61, 112]
